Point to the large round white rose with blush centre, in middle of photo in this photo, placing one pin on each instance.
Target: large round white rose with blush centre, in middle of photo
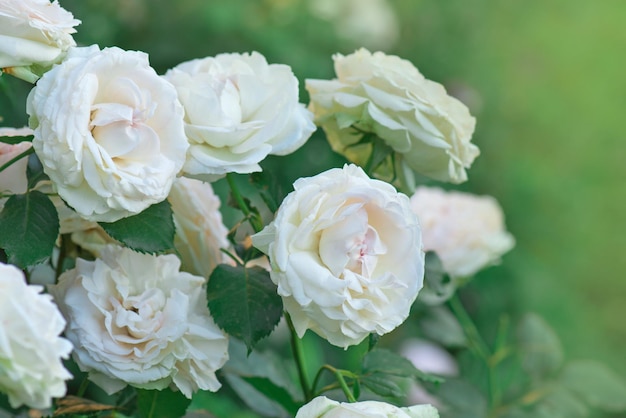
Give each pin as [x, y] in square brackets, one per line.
[346, 255]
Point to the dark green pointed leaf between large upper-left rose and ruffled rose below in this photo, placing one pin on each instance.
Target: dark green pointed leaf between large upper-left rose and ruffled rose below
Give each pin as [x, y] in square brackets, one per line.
[151, 231]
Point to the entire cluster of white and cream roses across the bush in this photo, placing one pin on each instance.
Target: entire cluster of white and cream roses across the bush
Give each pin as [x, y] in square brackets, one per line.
[114, 137]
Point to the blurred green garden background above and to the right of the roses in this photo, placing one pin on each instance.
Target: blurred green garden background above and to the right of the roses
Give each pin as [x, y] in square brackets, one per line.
[544, 79]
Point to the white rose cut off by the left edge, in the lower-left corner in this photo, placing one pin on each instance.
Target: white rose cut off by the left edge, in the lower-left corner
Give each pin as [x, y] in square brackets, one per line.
[31, 350]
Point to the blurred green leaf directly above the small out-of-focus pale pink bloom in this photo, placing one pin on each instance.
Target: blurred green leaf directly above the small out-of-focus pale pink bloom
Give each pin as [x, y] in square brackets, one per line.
[440, 325]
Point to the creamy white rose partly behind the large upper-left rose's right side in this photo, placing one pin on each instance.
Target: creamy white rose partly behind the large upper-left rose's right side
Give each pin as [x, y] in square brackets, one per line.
[238, 109]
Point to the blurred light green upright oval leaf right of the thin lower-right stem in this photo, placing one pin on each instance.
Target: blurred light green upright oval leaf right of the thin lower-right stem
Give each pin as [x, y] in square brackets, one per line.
[540, 347]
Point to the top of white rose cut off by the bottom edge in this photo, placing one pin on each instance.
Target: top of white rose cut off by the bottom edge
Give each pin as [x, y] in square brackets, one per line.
[322, 407]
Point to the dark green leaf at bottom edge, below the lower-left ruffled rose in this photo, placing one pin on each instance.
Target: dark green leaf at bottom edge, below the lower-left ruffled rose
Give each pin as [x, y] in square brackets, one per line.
[161, 403]
